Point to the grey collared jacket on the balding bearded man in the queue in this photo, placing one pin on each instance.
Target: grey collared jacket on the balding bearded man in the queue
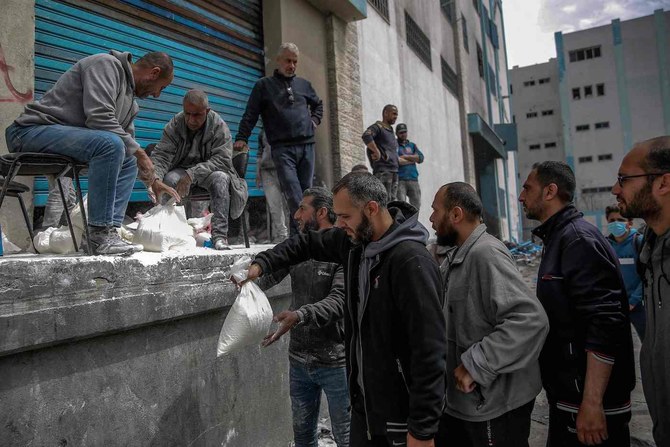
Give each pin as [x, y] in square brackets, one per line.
[495, 328]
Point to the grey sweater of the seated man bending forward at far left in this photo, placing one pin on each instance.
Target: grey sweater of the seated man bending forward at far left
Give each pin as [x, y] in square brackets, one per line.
[97, 92]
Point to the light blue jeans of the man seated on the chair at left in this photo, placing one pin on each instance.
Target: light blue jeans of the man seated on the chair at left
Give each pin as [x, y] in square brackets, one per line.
[111, 172]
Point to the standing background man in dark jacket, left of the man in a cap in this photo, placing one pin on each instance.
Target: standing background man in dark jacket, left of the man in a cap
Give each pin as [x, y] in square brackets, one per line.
[383, 150]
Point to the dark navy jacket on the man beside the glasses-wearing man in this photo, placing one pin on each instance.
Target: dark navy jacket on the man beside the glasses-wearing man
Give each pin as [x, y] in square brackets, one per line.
[582, 290]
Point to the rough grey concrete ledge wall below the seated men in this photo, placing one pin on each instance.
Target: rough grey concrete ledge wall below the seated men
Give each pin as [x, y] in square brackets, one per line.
[122, 351]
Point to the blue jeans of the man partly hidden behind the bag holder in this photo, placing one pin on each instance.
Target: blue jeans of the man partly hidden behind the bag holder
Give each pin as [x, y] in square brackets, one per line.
[306, 385]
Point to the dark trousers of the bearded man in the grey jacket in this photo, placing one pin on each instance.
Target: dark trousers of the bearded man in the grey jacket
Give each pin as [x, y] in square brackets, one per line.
[508, 430]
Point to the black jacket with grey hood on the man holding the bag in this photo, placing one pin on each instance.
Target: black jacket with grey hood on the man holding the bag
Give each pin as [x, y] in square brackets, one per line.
[401, 332]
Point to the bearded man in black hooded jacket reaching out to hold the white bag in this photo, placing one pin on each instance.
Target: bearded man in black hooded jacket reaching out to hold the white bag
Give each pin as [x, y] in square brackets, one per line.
[394, 327]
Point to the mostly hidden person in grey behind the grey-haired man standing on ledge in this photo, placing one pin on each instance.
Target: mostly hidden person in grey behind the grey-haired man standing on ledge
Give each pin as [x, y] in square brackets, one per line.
[266, 178]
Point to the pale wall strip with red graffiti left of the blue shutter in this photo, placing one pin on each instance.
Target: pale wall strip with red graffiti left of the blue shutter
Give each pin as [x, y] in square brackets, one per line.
[17, 41]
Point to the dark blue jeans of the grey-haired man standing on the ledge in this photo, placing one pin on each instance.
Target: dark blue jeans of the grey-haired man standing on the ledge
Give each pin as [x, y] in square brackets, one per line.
[295, 168]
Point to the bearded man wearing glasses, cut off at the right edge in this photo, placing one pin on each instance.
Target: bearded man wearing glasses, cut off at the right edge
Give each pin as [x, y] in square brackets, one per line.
[643, 190]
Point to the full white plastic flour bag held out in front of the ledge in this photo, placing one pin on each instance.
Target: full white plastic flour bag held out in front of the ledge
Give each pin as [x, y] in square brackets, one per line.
[250, 316]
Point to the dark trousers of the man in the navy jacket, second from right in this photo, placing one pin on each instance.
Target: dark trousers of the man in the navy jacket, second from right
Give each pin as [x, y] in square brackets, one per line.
[563, 429]
